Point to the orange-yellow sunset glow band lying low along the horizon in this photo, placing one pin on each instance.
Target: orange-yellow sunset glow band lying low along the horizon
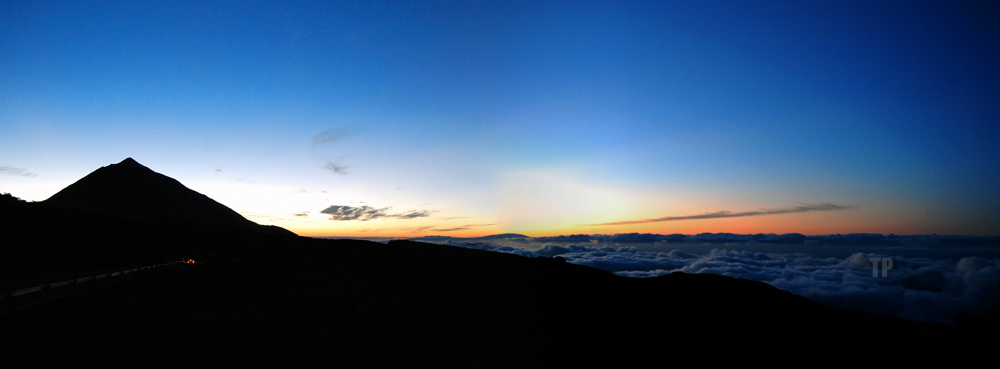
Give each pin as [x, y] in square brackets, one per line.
[861, 219]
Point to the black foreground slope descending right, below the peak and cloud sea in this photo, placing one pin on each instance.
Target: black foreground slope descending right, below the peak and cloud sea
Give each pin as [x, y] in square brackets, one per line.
[318, 302]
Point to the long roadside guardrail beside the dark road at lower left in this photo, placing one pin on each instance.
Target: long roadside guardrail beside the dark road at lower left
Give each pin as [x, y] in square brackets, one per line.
[22, 297]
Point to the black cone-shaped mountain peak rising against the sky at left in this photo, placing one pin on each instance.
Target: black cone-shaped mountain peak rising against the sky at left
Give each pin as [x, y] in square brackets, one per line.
[131, 191]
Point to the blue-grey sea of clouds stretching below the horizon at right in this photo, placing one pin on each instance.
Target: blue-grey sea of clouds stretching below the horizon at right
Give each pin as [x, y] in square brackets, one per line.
[931, 279]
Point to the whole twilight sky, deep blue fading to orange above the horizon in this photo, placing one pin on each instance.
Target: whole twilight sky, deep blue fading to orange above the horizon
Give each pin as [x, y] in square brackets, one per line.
[543, 118]
